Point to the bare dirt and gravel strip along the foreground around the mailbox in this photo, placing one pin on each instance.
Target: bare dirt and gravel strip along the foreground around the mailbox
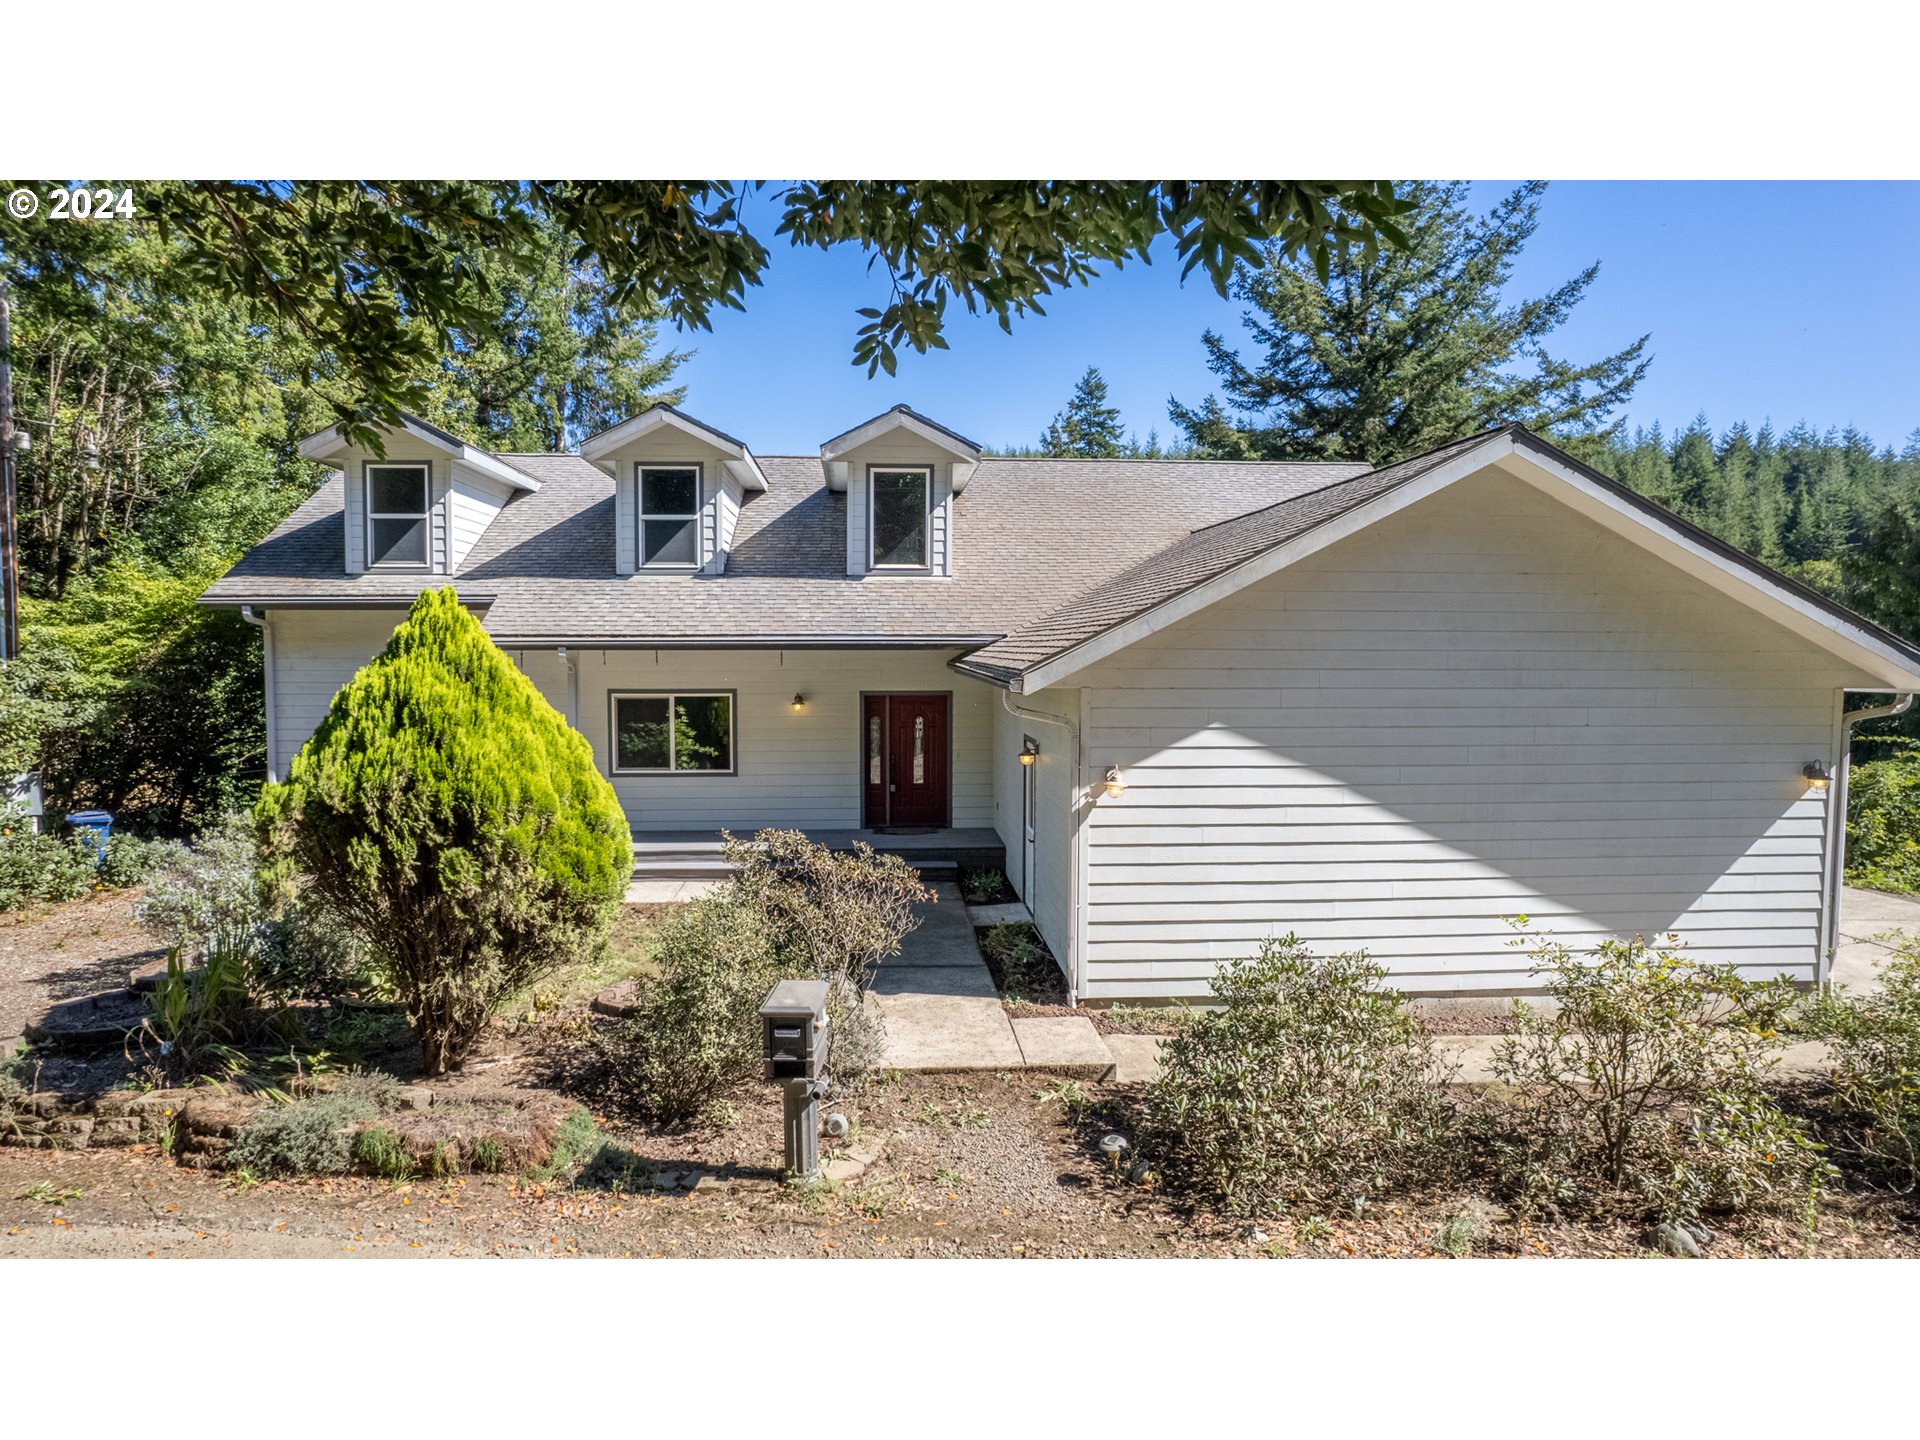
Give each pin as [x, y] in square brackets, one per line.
[965, 1168]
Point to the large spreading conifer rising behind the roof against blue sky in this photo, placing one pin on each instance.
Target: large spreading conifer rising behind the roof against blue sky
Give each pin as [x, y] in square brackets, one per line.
[1393, 350]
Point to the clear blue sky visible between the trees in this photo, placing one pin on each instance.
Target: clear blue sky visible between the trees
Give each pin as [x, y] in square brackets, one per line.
[1765, 300]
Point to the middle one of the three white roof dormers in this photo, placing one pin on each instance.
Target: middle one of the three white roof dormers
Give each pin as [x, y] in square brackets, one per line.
[679, 487]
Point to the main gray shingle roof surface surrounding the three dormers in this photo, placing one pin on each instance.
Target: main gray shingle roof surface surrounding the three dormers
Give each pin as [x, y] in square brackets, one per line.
[1030, 535]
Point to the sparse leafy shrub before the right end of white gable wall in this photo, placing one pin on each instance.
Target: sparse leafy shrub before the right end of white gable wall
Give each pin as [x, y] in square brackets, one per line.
[1644, 1088]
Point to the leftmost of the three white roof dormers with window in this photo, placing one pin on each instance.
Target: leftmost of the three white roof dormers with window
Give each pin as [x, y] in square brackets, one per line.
[423, 504]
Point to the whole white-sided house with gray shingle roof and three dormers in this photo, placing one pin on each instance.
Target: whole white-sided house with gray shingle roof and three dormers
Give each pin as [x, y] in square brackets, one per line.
[1191, 704]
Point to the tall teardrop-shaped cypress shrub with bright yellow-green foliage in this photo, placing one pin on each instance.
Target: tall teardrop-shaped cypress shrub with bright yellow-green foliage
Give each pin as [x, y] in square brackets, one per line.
[456, 823]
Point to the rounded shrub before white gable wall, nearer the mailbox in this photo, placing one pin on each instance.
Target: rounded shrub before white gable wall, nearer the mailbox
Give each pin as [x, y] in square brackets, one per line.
[1308, 1086]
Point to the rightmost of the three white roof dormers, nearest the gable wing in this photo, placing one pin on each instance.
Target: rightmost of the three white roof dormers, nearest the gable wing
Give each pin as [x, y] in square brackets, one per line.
[900, 473]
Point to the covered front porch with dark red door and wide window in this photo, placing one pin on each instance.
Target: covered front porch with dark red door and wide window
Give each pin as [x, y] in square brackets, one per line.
[876, 744]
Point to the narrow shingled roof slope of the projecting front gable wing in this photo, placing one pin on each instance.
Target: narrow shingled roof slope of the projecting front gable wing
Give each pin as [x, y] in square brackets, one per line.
[1191, 562]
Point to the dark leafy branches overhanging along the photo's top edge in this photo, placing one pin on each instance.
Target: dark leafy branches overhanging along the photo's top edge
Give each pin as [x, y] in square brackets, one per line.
[375, 277]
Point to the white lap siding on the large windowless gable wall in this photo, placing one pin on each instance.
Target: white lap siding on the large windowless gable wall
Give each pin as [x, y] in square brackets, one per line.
[1477, 709]
